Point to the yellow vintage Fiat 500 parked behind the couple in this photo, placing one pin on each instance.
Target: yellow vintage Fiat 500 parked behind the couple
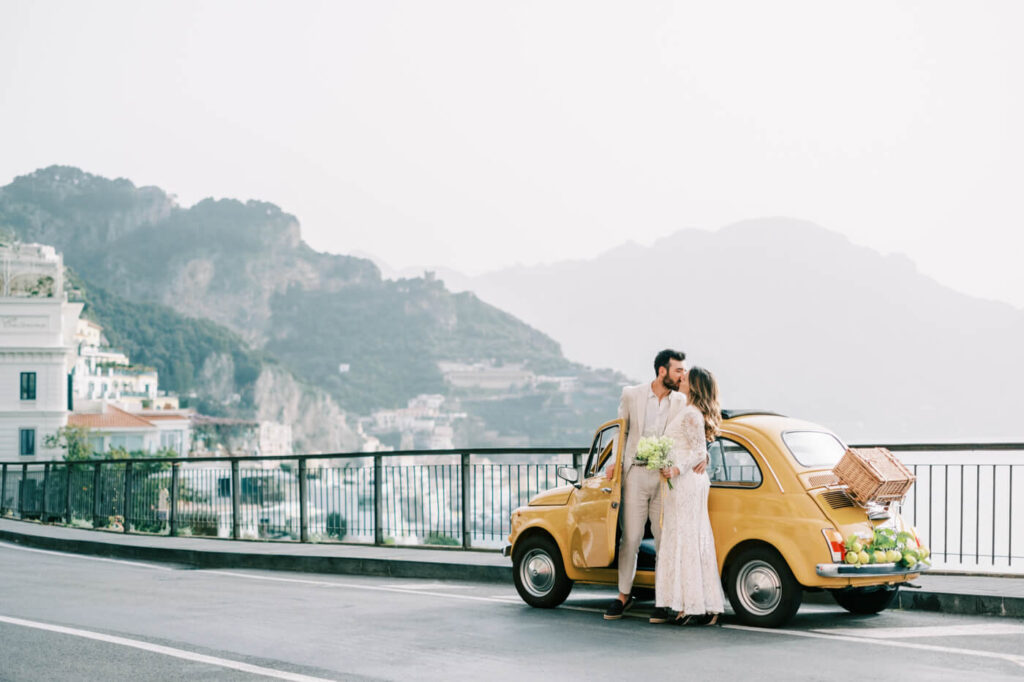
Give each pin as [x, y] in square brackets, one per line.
[779, 515]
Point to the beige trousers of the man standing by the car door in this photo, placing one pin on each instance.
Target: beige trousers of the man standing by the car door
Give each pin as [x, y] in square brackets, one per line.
[642, 501]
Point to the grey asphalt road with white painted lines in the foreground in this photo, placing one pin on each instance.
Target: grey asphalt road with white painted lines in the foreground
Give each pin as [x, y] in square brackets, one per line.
[73, 618]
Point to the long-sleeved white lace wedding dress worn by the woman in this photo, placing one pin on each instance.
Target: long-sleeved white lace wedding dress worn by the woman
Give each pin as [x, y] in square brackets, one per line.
[687, 578]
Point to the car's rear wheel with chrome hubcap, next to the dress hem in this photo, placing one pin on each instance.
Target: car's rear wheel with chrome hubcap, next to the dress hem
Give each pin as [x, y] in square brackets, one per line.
[762, 589]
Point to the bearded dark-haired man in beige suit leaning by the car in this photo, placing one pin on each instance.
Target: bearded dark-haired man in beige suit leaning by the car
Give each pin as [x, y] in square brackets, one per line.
[648, 409]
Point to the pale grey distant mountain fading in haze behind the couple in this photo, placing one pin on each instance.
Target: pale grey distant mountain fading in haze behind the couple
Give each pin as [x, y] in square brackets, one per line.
[793, 318]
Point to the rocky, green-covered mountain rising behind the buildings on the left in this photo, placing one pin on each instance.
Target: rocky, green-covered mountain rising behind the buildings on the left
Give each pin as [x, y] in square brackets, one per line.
[244, 266]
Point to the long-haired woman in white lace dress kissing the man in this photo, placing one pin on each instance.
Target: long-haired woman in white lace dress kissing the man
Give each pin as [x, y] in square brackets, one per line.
[687, 578]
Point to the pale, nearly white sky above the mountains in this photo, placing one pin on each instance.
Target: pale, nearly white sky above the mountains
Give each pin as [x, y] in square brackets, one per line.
[482, 135]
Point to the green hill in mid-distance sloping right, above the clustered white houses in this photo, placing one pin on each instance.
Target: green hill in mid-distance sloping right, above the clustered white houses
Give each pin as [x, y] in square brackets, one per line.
[393, 335]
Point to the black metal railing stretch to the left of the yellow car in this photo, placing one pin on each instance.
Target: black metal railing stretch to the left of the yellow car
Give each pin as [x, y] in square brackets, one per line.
[445, 498]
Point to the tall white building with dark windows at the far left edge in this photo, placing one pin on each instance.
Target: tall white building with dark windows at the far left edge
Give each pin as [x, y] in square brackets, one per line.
[37, 351]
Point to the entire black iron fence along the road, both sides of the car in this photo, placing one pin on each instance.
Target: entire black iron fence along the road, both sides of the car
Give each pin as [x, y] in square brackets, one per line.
[963, 502]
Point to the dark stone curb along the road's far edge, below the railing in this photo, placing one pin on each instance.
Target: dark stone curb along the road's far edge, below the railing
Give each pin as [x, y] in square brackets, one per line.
[926, 601]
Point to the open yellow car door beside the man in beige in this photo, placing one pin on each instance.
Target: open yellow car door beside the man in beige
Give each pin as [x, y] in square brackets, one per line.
[593, 516]
